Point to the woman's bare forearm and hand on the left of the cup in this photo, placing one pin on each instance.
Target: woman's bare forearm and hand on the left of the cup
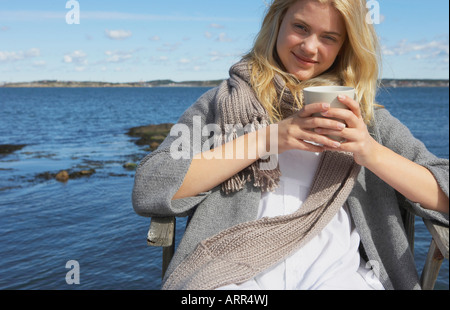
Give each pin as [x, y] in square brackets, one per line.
[223, 160]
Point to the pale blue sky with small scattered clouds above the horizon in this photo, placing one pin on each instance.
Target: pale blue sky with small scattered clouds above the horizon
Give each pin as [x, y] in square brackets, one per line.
[182, 40]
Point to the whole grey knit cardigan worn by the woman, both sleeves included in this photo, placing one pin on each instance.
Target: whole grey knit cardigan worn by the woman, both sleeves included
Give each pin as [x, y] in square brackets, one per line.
[376, 208]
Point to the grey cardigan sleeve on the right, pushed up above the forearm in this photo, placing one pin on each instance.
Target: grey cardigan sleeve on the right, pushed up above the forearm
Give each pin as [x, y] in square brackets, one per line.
[397, 137]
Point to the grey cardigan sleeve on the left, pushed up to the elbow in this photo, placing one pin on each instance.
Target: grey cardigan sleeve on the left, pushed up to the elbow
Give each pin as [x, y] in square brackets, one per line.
[160, 174]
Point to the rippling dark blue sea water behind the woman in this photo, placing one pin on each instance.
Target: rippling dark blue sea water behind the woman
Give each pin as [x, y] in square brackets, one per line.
[44, 223]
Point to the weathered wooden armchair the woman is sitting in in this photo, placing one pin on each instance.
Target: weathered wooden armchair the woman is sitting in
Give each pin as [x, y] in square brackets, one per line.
[162, 234]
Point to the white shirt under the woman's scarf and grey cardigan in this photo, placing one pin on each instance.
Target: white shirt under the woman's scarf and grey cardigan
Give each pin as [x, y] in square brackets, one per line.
[330, 260]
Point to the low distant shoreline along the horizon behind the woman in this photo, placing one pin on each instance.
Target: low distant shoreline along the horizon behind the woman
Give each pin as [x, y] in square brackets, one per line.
[212, 83]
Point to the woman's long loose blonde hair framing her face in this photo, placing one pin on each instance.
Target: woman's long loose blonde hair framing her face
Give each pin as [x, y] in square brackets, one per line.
[357, 64]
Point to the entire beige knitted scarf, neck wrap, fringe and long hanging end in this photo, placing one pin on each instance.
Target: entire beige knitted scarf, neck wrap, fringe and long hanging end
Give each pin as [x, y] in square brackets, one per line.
[239, 253]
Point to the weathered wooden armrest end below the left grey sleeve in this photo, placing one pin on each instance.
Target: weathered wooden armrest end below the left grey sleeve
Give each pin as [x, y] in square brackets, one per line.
[161, 232]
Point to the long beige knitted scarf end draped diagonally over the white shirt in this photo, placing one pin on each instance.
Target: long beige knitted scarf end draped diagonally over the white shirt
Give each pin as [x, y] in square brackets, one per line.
[241, 252]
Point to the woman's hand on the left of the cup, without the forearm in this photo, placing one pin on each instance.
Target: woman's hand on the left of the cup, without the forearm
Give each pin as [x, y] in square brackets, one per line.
[294, 131]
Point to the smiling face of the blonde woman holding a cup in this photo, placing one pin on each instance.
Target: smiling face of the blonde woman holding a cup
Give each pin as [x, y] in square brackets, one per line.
[310, 38]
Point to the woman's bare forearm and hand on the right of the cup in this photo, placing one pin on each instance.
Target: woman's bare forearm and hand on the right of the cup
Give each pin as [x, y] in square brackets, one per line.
[410, 179]
